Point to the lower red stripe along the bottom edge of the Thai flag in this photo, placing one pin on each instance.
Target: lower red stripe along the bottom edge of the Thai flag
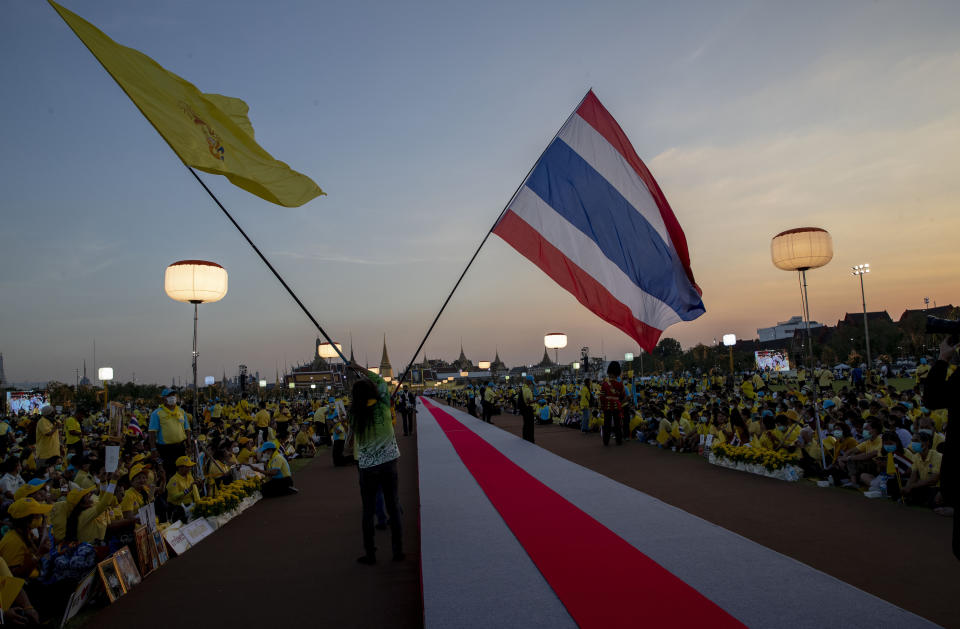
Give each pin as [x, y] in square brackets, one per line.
[588, 291]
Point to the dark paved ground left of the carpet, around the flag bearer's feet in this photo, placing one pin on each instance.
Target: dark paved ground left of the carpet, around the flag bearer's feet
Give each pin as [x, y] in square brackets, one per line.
[288, 562]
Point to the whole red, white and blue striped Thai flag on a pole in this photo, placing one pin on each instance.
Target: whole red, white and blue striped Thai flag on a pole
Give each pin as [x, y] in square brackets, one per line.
[591, 216]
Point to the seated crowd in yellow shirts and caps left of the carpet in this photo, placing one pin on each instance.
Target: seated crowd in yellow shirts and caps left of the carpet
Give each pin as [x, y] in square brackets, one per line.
[61, 510]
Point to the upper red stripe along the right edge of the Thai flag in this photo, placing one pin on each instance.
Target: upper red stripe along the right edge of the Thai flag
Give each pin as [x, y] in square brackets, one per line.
[600, 119]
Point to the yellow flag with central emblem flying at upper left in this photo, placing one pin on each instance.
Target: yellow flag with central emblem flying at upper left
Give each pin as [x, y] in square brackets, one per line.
[209, 132]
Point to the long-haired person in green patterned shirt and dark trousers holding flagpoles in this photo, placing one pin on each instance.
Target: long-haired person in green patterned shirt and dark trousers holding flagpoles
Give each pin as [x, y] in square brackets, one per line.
[376, 453]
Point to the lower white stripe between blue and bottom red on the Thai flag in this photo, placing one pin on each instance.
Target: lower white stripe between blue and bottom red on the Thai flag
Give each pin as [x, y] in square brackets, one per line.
[584, 252]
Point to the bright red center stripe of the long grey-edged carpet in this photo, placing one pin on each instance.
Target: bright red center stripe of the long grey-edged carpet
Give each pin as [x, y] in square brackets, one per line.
[603, 581]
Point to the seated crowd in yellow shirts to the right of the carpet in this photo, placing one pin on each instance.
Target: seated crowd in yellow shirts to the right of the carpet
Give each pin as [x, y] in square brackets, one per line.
[872, 436]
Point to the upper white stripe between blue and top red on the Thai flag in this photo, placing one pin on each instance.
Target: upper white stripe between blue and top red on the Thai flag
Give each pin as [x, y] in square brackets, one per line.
[606, 160]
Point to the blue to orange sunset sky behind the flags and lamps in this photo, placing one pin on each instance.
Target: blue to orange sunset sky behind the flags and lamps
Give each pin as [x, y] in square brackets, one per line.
[419, 120]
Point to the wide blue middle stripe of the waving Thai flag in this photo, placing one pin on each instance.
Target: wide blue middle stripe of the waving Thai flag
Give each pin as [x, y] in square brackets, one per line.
[579, 194]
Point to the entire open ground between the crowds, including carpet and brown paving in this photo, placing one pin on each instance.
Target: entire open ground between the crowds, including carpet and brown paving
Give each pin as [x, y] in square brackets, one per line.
[560, 534]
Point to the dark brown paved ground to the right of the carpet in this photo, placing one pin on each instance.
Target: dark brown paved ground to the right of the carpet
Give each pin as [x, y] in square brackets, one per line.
[899, 554]
